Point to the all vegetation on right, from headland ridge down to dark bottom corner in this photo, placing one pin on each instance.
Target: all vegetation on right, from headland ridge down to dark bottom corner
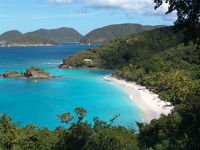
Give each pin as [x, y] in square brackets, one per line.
[160, 61]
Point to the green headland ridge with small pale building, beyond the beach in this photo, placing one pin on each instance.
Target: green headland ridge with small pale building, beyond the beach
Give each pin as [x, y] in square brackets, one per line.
[123, 51]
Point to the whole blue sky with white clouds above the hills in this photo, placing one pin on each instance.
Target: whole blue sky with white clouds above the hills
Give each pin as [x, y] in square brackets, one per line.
[82, 15]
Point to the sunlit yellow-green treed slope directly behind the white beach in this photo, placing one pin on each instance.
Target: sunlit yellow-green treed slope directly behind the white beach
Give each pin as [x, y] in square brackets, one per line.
[171, 74]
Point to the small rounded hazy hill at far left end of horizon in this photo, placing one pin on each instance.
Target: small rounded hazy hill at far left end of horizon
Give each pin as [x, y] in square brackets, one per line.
[10, 35]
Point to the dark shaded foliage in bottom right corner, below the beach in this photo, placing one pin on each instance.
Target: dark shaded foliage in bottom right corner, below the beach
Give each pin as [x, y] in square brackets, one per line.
[178, 131]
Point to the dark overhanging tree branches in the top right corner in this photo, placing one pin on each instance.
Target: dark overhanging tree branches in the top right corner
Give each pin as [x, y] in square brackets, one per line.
[188, 21]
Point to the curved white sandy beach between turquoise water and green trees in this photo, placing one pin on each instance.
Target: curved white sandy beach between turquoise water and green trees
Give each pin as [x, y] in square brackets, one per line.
[148, 102]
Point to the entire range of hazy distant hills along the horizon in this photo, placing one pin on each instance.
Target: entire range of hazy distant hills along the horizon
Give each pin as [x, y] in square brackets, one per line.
[52, 37]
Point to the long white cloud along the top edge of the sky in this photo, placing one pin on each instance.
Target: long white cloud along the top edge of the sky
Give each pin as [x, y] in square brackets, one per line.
[129, 6]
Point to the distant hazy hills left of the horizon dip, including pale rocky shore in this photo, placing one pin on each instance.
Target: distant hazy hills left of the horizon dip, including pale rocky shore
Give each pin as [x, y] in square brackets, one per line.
[40, 37]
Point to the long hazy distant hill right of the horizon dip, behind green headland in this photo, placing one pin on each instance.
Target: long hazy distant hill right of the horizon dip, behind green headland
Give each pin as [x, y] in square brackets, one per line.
[112, 32]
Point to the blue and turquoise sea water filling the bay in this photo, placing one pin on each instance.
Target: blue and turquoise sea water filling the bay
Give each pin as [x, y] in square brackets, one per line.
[39, 101]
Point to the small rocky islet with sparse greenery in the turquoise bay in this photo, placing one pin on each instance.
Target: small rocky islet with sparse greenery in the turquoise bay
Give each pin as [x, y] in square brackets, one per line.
[31, 73]
